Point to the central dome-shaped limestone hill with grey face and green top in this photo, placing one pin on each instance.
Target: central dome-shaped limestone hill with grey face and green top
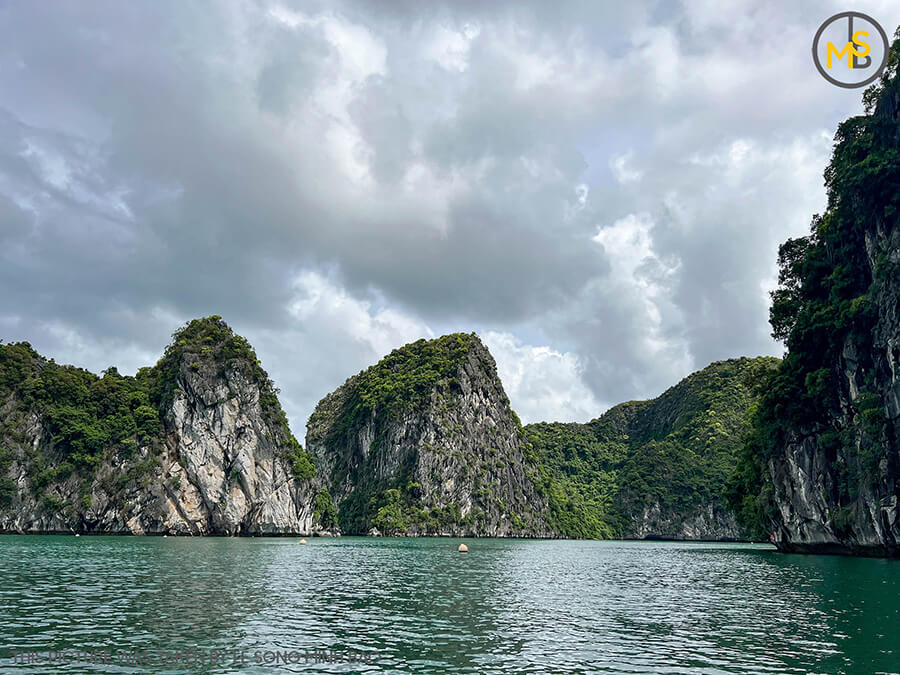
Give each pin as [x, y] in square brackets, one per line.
[425, 442]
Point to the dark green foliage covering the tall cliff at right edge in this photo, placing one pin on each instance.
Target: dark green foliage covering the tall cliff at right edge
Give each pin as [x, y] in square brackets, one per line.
[825, 301]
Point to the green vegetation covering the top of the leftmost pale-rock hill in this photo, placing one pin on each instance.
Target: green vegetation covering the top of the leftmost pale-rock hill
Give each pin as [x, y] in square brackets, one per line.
[92, 420]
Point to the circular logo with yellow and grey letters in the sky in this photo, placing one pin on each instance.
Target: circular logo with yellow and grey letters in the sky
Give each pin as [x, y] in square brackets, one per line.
[850, 49]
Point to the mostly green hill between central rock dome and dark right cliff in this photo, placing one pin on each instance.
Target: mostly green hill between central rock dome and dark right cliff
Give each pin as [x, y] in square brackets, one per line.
[652, 469]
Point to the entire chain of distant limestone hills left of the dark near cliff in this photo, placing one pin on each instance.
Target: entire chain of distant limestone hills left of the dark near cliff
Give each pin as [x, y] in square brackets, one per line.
[422, 443]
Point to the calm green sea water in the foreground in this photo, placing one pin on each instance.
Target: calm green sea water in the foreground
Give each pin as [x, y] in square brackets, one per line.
[416, 605]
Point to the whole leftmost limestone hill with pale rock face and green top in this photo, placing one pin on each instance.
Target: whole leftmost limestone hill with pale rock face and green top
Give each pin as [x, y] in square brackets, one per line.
[196, 445]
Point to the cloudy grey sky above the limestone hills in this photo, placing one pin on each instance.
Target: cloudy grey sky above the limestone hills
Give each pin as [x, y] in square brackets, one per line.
[598, 189]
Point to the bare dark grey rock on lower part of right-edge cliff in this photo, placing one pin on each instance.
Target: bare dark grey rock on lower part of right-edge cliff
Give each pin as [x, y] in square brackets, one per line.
[837, 483]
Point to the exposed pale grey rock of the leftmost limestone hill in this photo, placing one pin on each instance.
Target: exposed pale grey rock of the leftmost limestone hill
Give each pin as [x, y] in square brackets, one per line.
[221, 466]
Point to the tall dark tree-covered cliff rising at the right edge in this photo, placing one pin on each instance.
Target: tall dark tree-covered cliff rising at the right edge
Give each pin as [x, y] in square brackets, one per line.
[821, 466]
